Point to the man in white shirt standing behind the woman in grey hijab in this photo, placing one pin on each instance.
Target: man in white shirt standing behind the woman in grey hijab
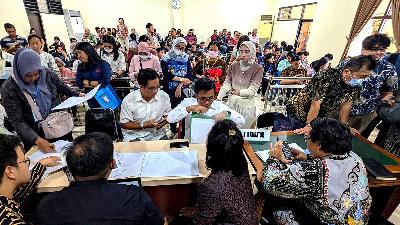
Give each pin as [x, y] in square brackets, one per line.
[36, 44]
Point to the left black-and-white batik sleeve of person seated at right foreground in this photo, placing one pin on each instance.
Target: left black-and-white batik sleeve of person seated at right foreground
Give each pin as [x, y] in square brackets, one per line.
[295, 180]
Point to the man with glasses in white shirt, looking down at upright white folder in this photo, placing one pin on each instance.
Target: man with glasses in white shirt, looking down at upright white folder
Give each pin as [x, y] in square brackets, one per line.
[204, 103]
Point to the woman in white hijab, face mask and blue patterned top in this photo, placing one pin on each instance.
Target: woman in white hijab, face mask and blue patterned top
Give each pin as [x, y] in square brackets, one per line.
[177, 71]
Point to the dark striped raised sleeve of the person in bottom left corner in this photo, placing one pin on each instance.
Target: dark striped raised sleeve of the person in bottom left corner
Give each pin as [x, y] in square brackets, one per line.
[24, 191]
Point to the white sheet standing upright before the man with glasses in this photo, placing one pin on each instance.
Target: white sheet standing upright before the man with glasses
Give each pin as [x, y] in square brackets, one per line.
[199, 129]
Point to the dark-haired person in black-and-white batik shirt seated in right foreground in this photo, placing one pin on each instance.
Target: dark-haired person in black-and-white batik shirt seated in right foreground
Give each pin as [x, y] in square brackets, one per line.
[331, 182]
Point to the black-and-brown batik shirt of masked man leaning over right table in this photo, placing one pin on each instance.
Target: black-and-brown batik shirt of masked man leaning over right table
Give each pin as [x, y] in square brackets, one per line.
[329, 88]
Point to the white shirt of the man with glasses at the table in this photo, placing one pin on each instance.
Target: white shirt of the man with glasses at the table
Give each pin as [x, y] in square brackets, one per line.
[216, 107]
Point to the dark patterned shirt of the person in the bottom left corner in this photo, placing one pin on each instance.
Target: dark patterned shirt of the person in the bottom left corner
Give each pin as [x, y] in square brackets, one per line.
[10, 208]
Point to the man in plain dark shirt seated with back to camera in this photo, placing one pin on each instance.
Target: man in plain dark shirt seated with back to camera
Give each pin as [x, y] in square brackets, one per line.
[90, 199]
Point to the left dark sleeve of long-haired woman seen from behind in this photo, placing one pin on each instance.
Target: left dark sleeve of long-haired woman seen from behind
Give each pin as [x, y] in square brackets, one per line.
[208, 205]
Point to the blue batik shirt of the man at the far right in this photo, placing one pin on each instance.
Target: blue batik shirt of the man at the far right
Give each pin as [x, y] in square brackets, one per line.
[383, 79]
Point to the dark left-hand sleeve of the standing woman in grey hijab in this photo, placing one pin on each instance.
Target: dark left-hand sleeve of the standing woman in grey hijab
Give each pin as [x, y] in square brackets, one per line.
[12, 105]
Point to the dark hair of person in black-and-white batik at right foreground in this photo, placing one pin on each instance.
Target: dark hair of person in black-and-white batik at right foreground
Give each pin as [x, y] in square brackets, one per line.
[333, 136]
